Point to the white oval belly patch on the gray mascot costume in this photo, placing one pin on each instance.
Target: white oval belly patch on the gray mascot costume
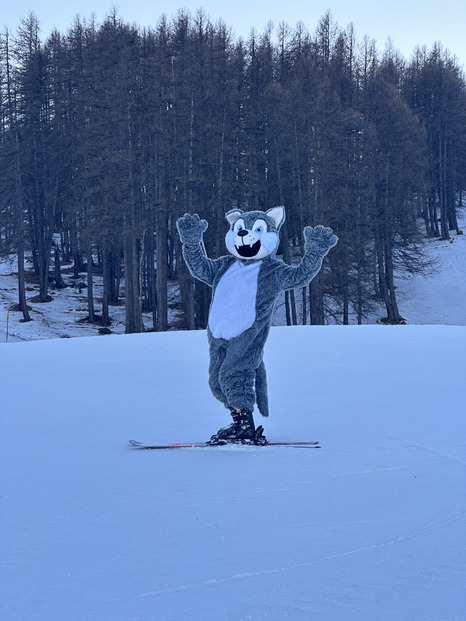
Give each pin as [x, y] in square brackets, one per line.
[233, 308]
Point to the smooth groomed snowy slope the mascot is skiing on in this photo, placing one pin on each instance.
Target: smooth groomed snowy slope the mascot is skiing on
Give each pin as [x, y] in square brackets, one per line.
[369, 527]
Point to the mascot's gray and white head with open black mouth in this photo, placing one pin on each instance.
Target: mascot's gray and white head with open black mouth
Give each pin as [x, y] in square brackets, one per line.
[254, 234]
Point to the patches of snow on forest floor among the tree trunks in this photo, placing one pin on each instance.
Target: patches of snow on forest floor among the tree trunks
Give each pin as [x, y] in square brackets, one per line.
[439, 299]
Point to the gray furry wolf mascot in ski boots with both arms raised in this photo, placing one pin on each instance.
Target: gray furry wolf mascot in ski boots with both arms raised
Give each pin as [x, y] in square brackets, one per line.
[246, 285]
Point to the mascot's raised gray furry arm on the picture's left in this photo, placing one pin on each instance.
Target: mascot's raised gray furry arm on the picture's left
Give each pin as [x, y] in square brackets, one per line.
[191, 229]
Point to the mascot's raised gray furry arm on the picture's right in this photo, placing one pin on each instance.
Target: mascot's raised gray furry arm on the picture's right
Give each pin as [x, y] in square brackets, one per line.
[317, 242]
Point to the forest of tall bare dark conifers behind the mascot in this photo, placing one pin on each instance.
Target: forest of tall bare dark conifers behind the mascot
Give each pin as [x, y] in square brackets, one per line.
[109, 132]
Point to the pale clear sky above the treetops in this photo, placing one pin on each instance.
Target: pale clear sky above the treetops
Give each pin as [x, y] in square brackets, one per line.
[407, 23]
